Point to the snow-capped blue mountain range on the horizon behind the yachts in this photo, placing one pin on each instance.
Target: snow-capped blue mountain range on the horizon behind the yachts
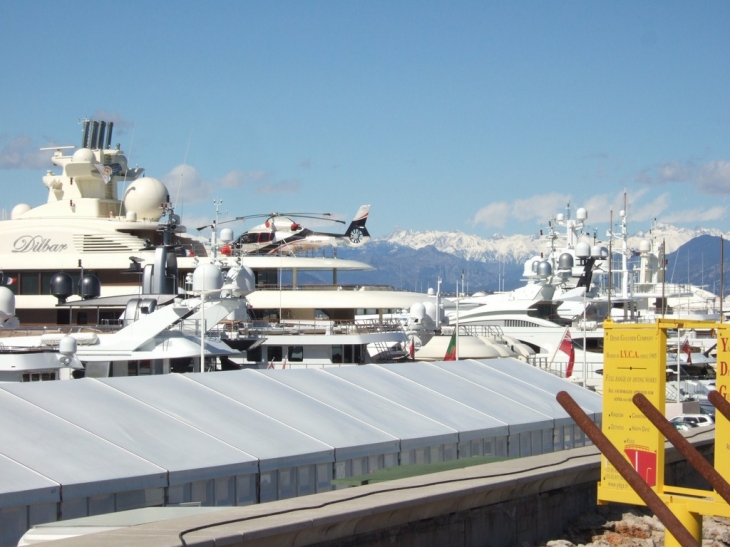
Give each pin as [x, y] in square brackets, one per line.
[413, 260]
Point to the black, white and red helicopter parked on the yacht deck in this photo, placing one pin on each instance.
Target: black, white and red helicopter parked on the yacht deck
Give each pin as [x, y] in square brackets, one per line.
[281, 234]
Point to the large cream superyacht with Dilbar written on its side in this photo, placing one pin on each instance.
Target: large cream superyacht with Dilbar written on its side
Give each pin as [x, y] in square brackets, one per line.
[106, 217]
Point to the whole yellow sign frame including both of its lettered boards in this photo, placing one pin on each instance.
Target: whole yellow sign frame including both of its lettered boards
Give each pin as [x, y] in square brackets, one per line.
[635, 361]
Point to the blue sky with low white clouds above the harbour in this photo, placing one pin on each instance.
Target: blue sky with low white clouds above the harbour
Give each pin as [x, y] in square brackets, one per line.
[483, 117]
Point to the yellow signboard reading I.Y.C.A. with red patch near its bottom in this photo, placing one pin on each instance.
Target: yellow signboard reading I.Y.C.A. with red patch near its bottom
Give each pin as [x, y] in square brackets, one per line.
[634, 362]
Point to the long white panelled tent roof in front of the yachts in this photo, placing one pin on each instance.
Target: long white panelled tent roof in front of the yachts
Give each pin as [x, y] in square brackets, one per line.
[76, 438]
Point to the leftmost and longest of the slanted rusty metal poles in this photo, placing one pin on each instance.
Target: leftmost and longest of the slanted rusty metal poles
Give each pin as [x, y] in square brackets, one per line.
[622, 465]
